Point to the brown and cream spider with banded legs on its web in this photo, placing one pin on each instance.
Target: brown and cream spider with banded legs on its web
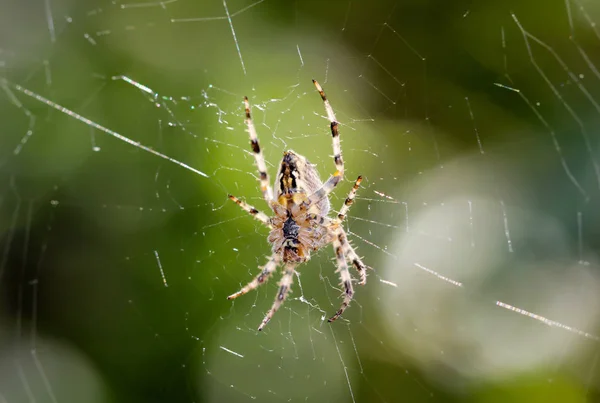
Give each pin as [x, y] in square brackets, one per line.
[300, 224]
